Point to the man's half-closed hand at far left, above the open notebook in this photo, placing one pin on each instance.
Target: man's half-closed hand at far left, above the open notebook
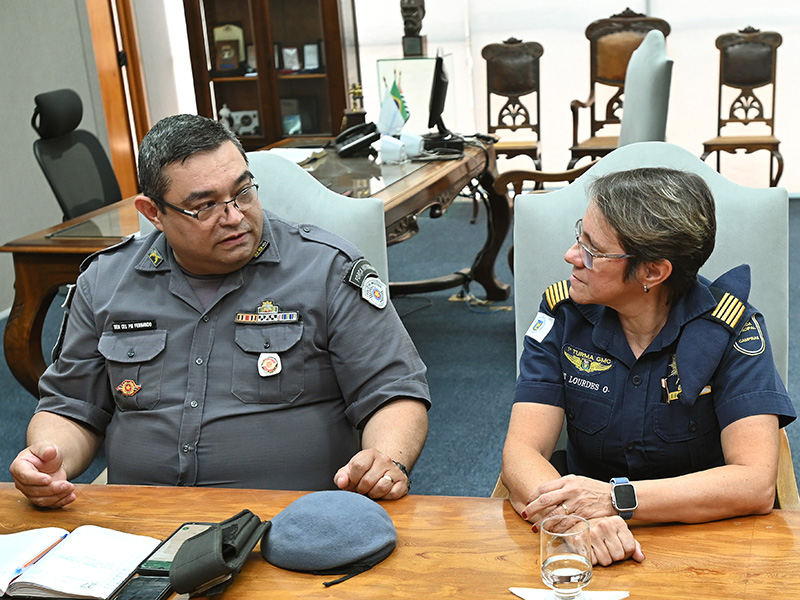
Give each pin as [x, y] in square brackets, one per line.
[38, 473]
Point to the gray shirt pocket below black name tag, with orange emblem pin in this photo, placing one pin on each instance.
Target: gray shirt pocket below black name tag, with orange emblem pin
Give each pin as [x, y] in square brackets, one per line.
[134, 374]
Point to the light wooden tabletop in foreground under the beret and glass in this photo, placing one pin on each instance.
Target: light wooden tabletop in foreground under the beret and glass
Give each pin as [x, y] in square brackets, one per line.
[455, 547]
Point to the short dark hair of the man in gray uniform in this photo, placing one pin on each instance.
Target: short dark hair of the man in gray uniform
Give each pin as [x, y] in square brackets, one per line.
[176, 138]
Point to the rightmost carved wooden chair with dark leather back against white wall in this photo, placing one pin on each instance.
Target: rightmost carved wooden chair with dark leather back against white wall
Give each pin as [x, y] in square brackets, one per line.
[747, 64]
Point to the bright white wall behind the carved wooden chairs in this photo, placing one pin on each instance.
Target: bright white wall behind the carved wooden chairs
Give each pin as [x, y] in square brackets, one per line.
[463, 27]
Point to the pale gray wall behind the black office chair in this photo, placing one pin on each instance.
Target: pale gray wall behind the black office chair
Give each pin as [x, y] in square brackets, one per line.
[38, 55]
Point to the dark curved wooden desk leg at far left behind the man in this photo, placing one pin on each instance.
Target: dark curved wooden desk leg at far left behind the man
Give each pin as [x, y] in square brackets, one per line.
[35, 286]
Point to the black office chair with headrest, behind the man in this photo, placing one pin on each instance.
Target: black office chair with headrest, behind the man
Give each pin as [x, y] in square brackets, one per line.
[73, 160]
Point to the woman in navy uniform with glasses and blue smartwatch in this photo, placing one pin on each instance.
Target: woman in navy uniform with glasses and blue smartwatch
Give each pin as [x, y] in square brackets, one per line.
[671, 396]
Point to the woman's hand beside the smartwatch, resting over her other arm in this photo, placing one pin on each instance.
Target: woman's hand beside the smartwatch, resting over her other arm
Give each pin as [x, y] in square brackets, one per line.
[571, 494]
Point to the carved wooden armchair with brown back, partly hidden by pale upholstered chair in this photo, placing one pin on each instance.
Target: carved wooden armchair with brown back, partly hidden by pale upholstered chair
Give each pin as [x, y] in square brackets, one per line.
[611, 43]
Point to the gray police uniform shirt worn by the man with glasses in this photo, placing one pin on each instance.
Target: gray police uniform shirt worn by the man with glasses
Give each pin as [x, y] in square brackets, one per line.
[266, 387]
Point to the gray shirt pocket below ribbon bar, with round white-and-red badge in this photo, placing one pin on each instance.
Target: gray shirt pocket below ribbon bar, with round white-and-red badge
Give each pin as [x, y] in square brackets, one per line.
[285, 341]
